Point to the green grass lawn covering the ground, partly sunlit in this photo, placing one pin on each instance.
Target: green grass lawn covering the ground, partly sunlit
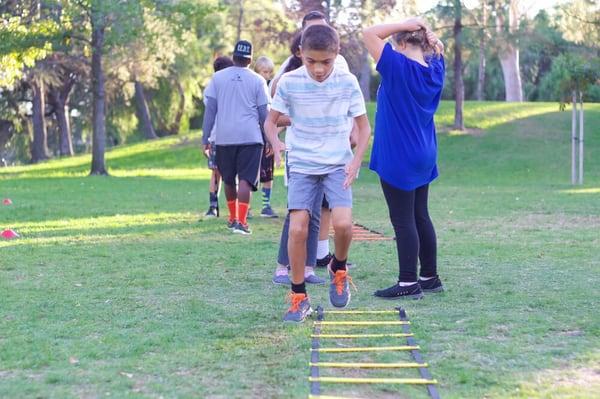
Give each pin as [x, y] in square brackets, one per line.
[116, 289]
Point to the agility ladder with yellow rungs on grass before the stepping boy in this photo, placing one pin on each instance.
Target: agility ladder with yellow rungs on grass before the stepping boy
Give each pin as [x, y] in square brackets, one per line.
[409, 345]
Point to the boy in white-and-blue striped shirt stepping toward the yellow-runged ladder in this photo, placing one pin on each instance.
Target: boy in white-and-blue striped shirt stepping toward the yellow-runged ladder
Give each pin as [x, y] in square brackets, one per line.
[320, 100]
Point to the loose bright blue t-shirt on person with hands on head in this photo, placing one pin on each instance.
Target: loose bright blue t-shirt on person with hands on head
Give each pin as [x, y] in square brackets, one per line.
[405, 145]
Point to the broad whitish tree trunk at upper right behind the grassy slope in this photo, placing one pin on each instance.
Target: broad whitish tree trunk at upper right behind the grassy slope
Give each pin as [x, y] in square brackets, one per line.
[509, 54]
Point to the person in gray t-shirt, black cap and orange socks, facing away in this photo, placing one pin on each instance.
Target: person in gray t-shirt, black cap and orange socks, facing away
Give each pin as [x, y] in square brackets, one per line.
[238, 99]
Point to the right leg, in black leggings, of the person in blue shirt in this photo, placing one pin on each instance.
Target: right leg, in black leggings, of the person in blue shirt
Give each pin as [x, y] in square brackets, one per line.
[426, 231]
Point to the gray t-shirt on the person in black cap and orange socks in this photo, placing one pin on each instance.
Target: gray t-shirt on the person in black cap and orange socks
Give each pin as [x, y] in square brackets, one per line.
[238, 92]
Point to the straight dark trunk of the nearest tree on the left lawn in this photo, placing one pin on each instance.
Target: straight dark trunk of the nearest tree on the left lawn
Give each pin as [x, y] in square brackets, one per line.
[99, 123]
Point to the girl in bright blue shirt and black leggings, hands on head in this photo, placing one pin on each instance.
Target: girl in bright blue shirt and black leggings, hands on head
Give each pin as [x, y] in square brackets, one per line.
[405, 147]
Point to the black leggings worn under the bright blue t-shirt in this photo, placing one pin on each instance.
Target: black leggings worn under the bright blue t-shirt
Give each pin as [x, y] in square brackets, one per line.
[415, 235]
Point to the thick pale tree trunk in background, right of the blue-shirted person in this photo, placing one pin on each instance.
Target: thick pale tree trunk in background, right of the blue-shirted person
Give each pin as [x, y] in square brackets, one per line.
[507, 27]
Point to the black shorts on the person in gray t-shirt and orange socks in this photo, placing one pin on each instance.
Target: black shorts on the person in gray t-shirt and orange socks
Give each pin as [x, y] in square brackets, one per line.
[241, 161]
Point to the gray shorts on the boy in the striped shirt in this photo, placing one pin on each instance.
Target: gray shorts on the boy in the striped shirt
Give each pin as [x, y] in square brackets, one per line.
[304, 190]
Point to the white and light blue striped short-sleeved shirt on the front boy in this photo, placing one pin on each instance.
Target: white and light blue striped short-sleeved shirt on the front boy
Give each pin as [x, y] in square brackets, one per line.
[318, 141]
